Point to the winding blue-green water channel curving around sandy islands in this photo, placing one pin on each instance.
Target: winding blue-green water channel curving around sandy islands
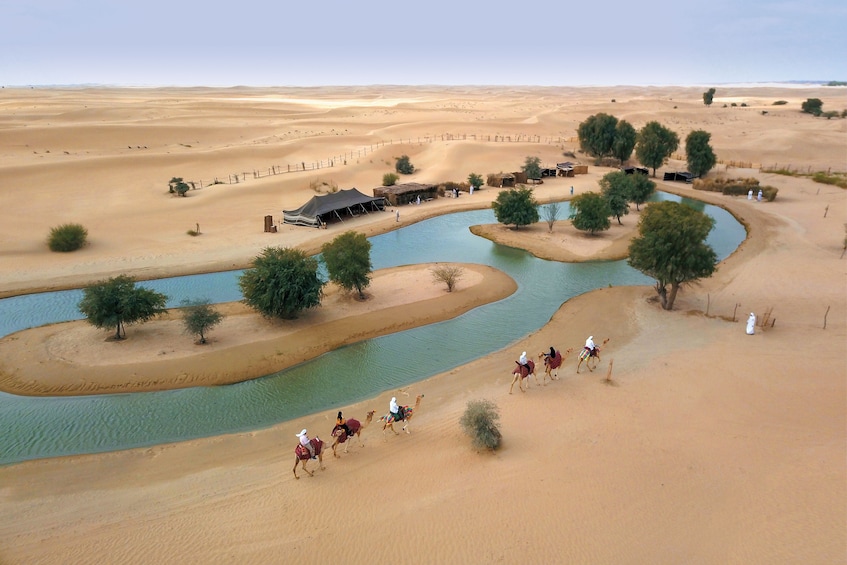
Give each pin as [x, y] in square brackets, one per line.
[35, 427]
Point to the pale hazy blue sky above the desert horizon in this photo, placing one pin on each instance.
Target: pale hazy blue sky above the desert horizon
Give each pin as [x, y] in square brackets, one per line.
[428, 42]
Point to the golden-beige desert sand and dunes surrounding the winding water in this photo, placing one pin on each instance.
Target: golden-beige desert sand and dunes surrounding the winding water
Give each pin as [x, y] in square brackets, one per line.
[691, 442]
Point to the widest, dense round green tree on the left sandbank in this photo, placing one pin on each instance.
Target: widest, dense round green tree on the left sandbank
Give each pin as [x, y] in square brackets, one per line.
[282, 282]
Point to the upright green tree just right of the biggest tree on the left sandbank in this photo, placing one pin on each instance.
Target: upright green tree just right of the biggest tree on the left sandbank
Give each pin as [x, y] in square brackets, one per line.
[348, 261]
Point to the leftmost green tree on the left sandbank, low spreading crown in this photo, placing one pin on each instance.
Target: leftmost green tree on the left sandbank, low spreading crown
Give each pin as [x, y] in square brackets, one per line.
[117, 301]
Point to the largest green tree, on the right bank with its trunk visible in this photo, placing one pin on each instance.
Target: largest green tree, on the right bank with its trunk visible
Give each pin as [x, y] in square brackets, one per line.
[671, 247]
